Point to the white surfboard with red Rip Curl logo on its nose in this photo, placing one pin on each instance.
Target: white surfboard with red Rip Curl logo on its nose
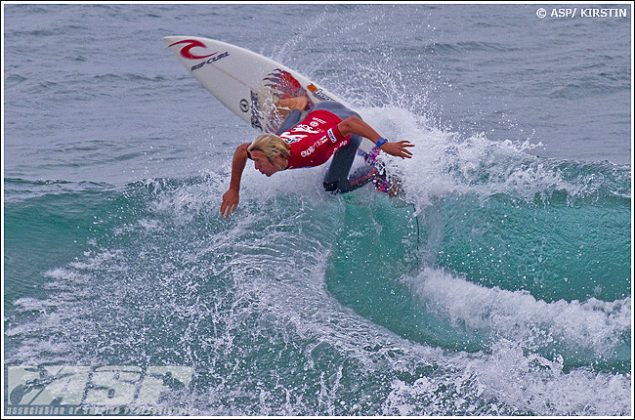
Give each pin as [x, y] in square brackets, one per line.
[247, 83]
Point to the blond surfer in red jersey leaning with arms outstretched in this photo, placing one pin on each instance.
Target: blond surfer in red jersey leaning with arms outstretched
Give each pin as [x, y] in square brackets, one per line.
[329, 129]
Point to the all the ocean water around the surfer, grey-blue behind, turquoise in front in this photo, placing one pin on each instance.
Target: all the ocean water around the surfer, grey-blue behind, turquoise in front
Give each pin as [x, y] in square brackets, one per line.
[499, 284]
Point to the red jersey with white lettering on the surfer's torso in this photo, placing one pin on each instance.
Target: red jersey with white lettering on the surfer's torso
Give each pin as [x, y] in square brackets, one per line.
[314, 140]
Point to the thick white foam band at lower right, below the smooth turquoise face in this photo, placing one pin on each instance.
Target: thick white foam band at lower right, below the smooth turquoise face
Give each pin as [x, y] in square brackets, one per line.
[592, 325]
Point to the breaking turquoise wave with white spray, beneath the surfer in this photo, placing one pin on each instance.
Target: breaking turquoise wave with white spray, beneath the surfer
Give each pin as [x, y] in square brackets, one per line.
[301, 283]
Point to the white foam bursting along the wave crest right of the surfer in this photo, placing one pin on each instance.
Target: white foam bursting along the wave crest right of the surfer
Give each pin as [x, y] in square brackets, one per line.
[445, 162]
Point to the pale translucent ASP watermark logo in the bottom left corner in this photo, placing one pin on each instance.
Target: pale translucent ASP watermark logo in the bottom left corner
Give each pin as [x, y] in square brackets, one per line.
[69, 390]
